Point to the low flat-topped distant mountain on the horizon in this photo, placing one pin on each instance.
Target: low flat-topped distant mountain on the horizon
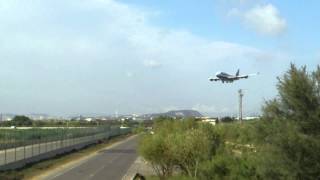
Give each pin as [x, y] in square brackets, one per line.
[176, 113]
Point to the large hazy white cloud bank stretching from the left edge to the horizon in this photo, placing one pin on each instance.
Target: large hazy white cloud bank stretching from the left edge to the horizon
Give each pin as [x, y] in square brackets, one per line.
[82, 49]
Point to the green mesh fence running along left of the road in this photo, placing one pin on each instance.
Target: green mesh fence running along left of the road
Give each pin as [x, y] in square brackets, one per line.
[21, 144]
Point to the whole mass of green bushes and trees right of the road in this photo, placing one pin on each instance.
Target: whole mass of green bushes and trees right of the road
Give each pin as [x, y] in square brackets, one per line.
[283, 144]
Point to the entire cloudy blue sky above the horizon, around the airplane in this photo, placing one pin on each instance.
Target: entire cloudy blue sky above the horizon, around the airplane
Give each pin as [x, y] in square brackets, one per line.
[101, 56]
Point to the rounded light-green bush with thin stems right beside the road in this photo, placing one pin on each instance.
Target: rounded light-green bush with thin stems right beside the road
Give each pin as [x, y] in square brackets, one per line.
[179, 143]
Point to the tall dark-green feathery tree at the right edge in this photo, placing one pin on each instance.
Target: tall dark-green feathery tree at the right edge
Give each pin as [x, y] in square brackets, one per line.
[291, 125]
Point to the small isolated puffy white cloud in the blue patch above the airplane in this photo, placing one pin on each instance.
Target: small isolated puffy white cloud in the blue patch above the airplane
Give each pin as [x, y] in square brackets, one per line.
[264, 19]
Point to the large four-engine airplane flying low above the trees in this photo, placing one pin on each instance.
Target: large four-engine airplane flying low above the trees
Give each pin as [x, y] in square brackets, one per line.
[228, 78]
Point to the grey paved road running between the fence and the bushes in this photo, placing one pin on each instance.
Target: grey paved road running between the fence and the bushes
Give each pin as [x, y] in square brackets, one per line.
[109, 164]
